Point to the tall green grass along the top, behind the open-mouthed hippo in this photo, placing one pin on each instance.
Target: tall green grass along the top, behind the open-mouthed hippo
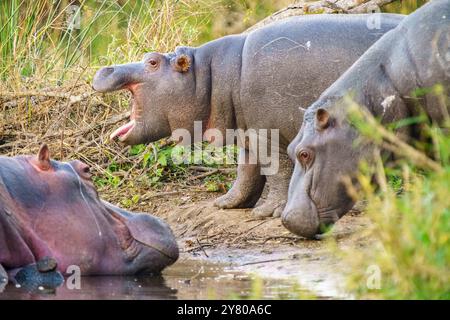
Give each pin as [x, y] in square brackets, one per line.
[51, 40]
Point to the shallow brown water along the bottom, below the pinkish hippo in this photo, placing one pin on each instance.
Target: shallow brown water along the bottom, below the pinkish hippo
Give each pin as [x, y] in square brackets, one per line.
[185, 280]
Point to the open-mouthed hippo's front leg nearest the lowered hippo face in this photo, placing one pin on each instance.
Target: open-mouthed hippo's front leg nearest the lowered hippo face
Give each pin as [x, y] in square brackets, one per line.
[278, 189]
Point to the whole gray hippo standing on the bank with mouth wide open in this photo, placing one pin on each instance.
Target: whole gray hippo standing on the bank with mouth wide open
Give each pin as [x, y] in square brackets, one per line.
[256, 80]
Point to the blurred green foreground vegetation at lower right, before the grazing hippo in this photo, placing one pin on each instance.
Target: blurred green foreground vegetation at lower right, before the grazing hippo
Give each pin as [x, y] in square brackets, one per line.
[410, 208]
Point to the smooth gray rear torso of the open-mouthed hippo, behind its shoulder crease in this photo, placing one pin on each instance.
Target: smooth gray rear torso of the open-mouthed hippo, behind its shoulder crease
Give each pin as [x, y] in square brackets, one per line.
[287, 64]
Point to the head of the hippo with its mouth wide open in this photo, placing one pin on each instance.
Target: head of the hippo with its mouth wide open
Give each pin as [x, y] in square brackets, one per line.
[164, 95]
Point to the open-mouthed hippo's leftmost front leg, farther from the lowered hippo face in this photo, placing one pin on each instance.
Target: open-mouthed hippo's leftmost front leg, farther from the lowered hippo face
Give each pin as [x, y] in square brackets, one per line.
[247, 188]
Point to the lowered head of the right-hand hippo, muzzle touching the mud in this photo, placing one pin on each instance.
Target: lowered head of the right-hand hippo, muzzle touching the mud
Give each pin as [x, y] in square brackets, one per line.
[324, 154]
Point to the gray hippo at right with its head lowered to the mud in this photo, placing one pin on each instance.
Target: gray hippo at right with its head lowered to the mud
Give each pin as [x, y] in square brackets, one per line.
[414, 55]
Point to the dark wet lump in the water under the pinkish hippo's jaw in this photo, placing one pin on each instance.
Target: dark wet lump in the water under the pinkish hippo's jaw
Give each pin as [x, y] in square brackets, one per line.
[40, 276]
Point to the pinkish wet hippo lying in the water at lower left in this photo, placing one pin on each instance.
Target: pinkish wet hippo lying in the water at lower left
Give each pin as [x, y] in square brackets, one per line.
[50, 208]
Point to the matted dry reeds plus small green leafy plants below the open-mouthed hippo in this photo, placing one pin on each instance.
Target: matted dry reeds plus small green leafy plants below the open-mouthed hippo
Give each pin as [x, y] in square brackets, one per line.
[76, 122]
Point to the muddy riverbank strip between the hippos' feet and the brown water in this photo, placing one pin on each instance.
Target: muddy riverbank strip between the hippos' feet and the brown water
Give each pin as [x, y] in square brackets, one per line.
[263, 248]
